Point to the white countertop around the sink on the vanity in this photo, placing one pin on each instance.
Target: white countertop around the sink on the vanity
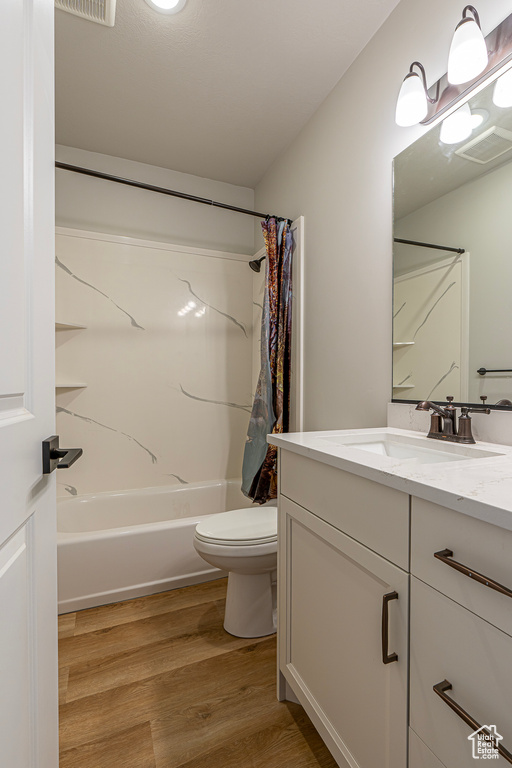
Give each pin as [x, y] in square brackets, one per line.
[481, 487]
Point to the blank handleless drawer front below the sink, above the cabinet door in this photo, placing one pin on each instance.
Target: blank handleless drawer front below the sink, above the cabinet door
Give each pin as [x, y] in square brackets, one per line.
[371, 513]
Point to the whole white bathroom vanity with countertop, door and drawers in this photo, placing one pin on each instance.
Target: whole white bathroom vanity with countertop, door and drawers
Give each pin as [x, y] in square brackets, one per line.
[388, 636]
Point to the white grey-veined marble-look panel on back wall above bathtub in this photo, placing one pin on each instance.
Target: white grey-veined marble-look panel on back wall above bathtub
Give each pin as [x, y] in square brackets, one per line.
[167, 358]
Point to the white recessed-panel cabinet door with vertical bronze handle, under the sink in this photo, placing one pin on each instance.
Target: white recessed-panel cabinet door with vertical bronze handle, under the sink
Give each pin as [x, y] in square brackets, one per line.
[331, 640]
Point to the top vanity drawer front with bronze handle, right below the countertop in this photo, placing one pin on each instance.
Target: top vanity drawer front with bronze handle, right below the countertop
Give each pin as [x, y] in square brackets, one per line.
[481, 547]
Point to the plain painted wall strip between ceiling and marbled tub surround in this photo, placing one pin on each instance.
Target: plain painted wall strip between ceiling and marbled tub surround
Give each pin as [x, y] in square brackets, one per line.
[83, 202]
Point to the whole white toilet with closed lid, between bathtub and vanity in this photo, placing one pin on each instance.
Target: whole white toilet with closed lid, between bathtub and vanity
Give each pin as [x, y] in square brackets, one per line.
[243, 542]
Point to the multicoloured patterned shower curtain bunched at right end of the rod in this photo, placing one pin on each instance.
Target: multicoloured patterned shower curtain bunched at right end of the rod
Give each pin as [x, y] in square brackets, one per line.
[271, 408]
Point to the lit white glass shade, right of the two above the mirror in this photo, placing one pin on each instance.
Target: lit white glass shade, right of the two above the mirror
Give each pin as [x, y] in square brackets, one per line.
[468, 52]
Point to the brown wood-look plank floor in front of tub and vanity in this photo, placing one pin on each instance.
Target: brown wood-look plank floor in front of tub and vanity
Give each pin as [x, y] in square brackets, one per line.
[156, 682]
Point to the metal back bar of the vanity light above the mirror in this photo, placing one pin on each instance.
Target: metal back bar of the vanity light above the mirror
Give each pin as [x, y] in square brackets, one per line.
[451, 97]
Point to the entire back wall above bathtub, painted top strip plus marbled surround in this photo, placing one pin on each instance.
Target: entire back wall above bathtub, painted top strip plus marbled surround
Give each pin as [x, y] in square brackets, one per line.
[141, 384]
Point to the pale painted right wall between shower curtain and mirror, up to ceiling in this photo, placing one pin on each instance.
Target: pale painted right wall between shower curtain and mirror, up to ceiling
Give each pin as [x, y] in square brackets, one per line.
[337, 173]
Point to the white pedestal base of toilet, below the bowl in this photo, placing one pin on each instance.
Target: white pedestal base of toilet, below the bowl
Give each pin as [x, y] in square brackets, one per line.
[250, 604]
